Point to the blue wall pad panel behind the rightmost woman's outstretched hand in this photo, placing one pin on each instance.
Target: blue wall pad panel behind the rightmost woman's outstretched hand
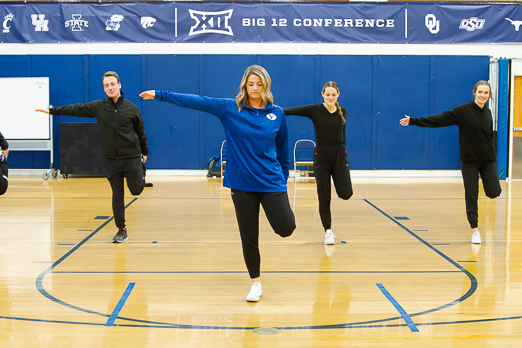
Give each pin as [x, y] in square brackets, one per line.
[403, 88]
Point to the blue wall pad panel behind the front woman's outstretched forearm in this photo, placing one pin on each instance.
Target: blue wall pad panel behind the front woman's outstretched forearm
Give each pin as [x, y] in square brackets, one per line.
[173, 132]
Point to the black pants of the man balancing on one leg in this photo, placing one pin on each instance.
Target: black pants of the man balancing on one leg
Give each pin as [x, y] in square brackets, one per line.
[115, 170]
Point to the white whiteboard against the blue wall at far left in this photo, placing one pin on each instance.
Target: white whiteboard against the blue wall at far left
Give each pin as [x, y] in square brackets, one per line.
[19, 97]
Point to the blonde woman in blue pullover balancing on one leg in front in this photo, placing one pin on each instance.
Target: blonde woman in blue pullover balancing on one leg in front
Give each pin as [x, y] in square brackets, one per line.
[257, 159]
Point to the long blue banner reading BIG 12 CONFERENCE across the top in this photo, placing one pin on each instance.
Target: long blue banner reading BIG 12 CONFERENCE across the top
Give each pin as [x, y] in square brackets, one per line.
[260, 22]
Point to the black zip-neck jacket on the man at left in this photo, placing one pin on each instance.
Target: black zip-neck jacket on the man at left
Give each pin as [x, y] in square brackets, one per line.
[122, 133]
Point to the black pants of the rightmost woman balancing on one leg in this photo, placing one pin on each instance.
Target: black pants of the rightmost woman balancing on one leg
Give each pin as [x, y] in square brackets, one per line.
[470, 174]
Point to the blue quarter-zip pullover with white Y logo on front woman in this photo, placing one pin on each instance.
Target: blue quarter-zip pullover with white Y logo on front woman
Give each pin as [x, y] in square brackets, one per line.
[257, 141]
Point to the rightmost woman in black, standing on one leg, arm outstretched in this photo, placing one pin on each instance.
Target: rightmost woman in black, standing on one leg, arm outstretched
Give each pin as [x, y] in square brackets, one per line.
[477, 151]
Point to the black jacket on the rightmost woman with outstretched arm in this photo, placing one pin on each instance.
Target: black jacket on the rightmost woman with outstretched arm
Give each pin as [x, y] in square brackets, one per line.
[475, 130]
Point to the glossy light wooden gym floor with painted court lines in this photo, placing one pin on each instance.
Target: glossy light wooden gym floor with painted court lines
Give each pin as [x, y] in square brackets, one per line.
[402, 274]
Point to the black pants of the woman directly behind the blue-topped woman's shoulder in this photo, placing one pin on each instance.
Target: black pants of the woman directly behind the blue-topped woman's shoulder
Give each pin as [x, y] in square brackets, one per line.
[331, 162]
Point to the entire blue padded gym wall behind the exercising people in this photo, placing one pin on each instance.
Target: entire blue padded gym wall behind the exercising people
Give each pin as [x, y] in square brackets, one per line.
[376, 90]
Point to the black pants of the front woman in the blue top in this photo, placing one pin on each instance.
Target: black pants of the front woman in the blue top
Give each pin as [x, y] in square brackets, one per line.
[278, 212]
